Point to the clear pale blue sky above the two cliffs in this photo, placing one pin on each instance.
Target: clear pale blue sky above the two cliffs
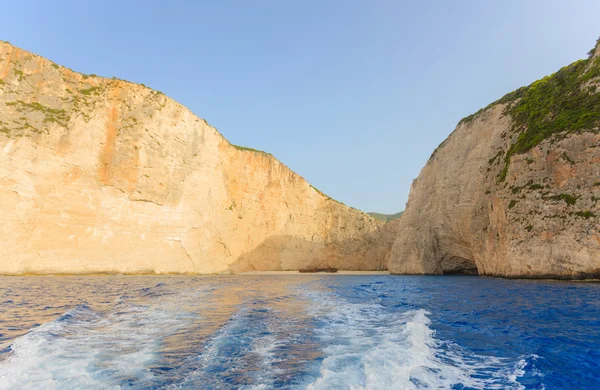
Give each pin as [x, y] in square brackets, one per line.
[353, 95]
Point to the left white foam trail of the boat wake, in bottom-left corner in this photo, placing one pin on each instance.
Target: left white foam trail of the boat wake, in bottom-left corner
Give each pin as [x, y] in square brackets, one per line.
[88, 349]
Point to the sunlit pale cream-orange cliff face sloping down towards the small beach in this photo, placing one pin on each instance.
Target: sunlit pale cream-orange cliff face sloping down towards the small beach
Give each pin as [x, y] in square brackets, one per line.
[103, 175]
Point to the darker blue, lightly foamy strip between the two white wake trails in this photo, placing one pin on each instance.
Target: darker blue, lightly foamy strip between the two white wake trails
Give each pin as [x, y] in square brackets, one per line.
[261, 347]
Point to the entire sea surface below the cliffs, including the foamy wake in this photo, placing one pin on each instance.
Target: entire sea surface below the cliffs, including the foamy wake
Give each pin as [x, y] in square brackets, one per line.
[298, 332]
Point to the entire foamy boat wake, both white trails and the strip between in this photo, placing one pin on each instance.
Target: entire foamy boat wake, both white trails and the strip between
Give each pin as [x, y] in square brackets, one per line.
[304, 337]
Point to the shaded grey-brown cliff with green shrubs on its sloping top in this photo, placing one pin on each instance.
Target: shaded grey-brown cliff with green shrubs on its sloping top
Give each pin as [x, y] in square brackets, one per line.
[514, 190]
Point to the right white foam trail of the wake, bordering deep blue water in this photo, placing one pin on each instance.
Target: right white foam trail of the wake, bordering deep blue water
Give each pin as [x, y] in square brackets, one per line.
[368, 347]
